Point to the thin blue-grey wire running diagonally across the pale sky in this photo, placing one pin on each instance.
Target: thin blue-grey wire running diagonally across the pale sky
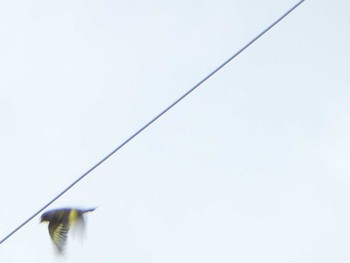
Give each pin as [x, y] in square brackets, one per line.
[152, 121]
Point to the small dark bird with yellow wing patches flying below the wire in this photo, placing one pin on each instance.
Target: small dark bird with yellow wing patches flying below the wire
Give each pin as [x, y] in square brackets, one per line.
[60, 221]
